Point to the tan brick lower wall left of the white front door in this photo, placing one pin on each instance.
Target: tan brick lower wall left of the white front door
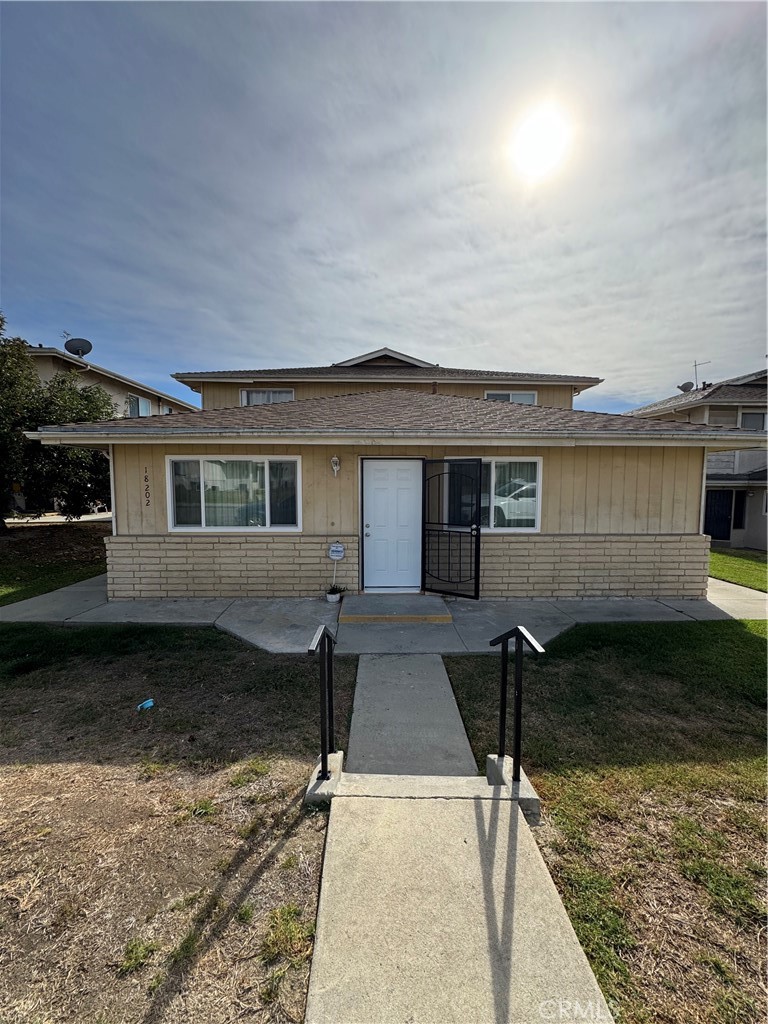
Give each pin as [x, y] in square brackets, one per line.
[184, 566]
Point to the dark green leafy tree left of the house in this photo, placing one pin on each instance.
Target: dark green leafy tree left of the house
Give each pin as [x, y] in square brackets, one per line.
[71, 480]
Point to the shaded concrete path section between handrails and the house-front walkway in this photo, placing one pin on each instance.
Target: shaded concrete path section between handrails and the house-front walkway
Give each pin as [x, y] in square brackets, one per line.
[406, 720]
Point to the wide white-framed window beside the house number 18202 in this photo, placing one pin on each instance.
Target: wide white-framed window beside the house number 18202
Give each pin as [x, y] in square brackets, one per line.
[234, 494]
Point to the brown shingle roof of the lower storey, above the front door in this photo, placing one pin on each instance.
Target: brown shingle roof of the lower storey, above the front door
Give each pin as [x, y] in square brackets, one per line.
[395, 412]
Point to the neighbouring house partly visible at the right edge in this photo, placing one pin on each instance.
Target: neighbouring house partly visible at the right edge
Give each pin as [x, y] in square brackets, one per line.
[736, 511]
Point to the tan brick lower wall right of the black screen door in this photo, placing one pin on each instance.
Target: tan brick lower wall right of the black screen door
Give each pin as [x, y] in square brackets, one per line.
[594, 566]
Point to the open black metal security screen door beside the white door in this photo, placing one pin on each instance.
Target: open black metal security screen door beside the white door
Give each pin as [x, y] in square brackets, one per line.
[451, 549]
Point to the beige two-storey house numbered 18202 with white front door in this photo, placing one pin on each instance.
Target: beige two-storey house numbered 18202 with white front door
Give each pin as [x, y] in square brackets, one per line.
[462, 482]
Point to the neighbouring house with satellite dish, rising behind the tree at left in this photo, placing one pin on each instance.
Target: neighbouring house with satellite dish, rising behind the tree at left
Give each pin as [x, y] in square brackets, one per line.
[131, 398]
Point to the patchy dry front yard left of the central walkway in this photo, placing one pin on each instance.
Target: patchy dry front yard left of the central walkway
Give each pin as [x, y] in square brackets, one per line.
[157, 867]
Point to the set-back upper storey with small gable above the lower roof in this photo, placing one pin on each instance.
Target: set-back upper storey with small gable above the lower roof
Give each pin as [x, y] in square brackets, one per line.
[381, 370]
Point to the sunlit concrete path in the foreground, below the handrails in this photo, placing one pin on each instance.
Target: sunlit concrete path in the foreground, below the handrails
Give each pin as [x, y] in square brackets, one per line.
[442, 912]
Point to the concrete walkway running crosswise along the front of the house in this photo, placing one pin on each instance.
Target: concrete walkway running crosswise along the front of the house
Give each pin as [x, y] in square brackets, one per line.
[283, 625]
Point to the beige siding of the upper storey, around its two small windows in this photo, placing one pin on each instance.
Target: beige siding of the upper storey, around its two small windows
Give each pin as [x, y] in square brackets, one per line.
[227, 396]
